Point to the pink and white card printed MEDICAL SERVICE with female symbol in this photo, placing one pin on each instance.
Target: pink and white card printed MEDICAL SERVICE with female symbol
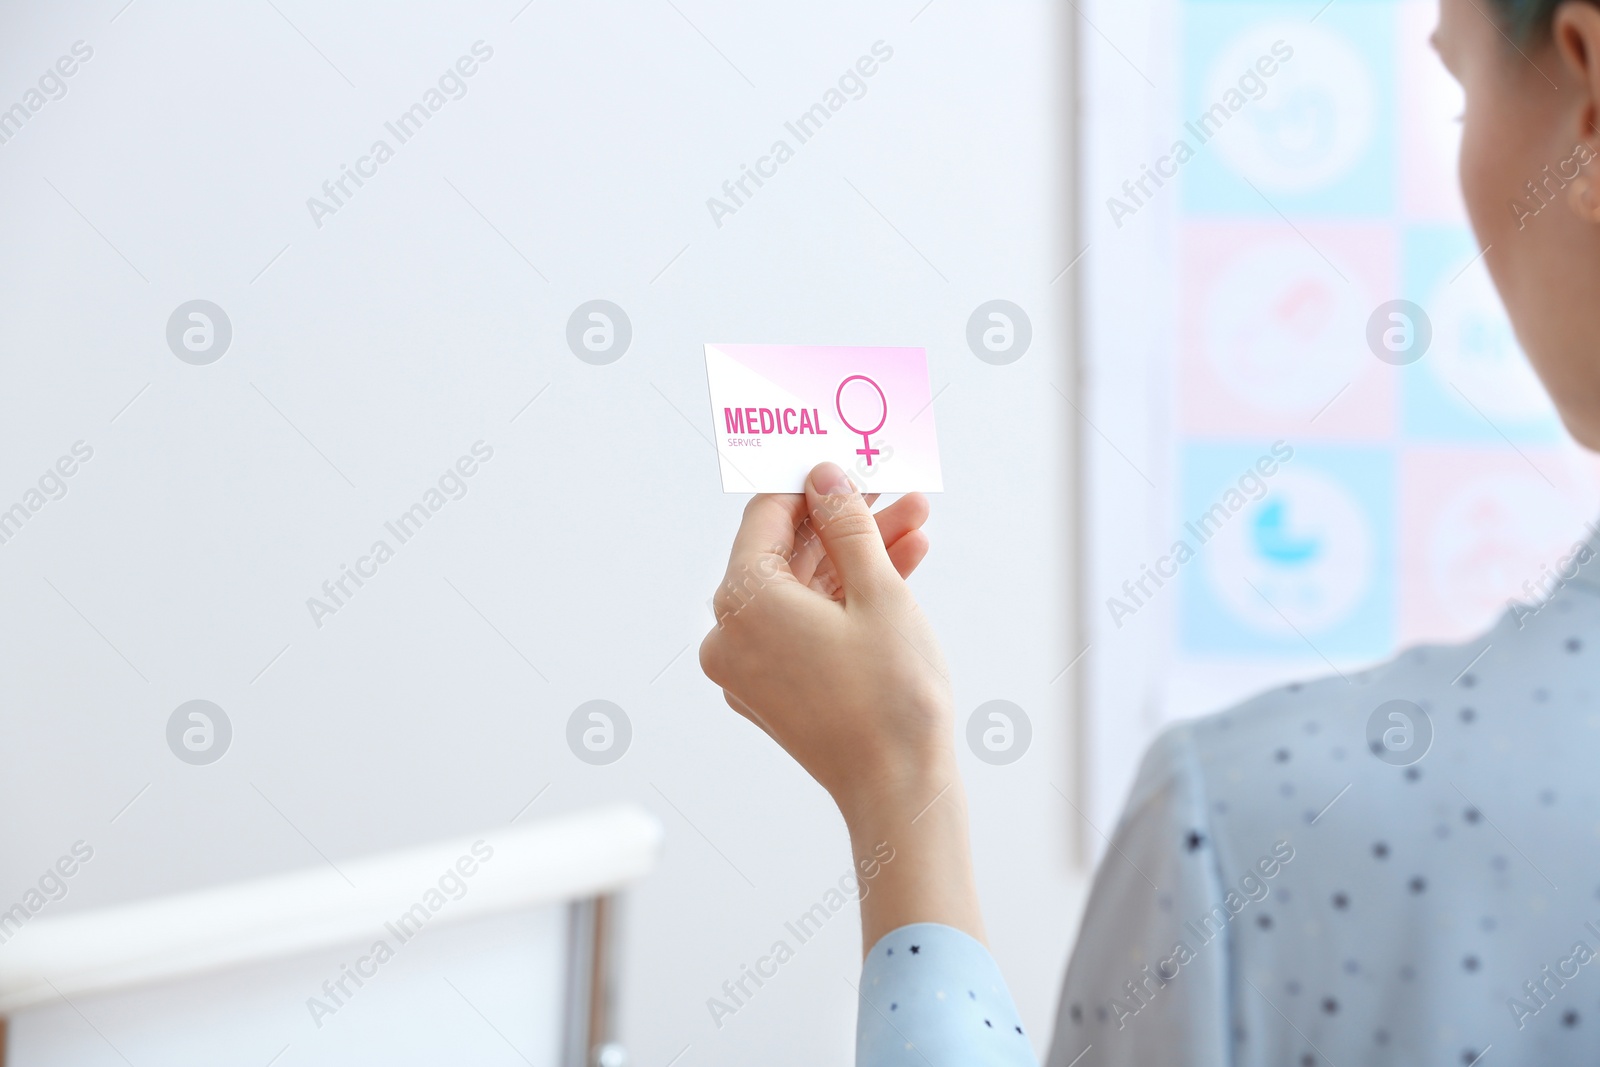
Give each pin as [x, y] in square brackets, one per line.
[783, 409]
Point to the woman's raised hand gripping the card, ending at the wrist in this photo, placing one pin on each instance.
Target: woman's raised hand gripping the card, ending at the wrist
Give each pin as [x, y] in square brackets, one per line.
[822, 645]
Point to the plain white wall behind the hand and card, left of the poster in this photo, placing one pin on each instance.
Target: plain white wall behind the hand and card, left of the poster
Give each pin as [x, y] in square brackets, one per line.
[422, 319]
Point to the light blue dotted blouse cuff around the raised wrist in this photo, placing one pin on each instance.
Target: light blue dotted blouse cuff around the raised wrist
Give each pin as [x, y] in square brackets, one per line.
[934, 997]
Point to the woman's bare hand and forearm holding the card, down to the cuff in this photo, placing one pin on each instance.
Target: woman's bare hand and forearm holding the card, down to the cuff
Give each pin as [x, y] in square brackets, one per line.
[820, 644]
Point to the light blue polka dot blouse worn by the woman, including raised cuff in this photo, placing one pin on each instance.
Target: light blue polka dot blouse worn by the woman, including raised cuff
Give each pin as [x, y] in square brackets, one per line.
[1399, 866]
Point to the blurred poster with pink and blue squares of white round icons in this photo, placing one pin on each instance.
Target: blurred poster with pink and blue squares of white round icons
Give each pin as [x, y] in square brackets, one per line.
[1348, 441]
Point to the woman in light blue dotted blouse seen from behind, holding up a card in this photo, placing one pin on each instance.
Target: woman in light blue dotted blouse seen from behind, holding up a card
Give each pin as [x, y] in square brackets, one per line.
[1284, 887]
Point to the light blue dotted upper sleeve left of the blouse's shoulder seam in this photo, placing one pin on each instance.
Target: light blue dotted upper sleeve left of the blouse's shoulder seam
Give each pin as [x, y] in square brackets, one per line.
[1151, 972]
